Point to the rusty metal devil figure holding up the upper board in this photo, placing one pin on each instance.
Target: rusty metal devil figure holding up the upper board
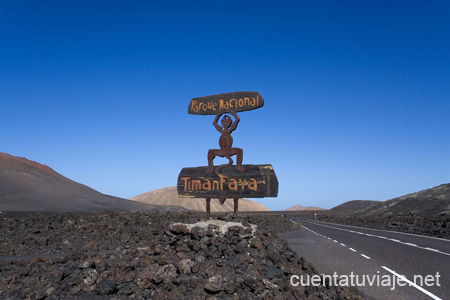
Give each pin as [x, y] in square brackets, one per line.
[225, 143]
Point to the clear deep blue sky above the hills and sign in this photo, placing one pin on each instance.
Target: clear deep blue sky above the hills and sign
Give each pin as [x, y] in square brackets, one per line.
[357, 93]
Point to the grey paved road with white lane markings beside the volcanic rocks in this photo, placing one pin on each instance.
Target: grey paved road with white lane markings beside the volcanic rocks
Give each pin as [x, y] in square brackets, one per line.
[377, 254]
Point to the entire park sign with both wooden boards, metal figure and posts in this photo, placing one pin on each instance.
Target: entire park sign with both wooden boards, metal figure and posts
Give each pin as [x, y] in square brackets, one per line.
[227, 181]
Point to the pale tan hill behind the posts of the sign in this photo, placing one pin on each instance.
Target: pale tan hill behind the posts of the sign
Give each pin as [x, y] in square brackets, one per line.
[169, 196]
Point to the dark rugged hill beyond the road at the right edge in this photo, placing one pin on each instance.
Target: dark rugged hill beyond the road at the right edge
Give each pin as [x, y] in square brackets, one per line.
[429, 201]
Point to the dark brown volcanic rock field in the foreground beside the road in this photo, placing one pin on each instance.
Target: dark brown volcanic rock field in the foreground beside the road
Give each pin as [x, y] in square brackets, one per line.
[149, 256]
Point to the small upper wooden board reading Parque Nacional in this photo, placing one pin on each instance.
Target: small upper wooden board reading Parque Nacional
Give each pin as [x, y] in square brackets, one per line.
[225, 103]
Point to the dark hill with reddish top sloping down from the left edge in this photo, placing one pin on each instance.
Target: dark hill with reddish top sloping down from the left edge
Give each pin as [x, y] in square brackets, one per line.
[27, 185]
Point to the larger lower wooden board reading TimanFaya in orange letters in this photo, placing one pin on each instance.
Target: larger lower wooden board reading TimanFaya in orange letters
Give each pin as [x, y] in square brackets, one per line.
[257, 181]
